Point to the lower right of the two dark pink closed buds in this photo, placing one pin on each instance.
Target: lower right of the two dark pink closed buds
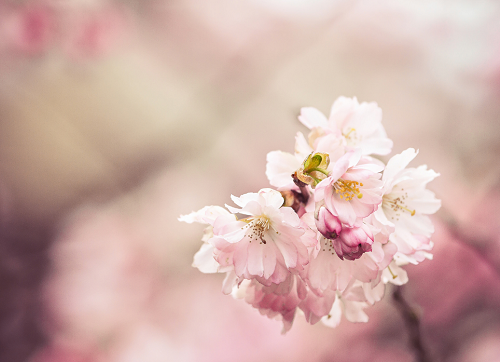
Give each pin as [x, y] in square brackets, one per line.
[353, 242]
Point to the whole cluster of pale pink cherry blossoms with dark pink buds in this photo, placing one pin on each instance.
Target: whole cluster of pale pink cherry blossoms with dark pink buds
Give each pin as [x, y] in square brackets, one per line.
[336, 228]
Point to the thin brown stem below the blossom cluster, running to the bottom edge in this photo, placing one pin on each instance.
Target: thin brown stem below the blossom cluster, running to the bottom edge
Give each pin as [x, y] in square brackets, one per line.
[412, 323]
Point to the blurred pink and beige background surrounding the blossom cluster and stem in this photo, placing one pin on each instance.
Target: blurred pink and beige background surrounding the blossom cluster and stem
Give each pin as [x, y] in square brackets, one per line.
[118, 116]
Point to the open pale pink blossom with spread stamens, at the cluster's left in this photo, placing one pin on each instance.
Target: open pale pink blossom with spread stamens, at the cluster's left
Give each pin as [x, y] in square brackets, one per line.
[265, 245]
